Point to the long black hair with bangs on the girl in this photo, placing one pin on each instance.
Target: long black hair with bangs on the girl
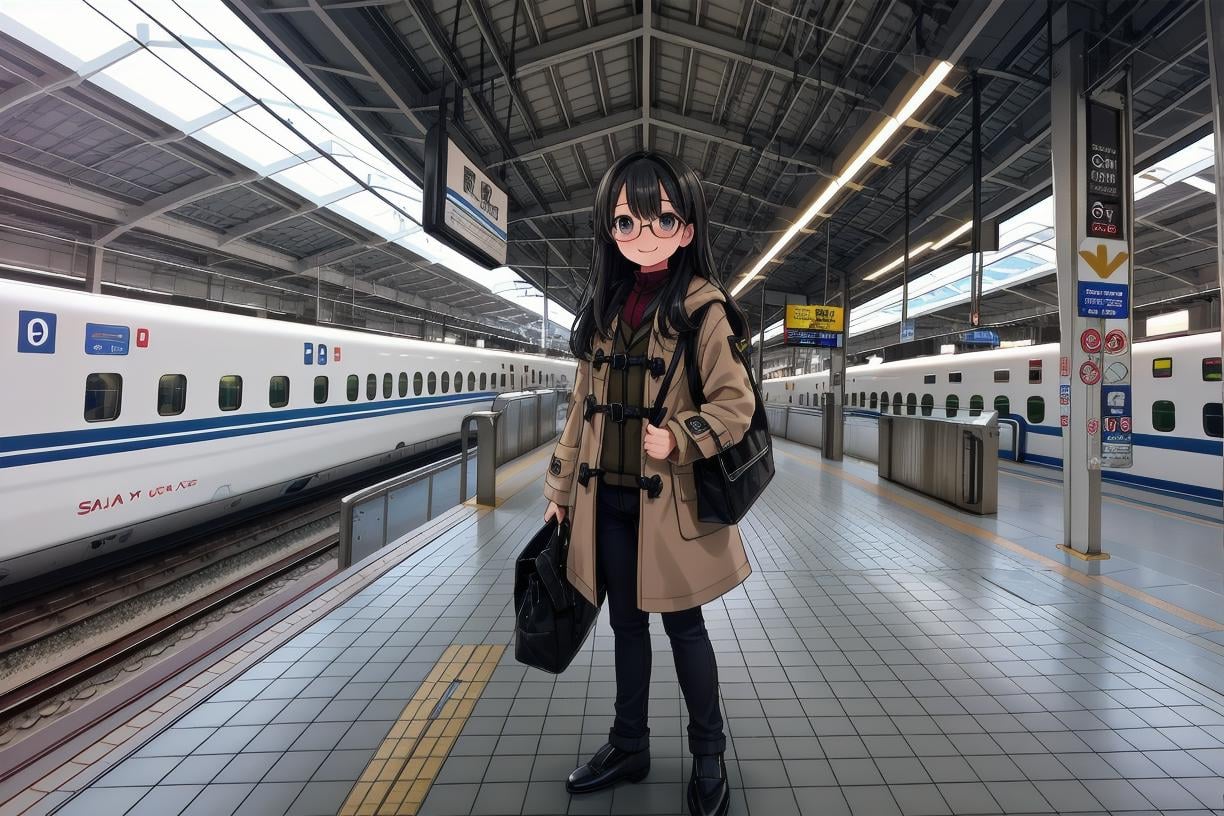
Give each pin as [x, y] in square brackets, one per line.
[611, 276]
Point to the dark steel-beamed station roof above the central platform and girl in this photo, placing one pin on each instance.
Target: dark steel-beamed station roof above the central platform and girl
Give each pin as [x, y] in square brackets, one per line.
[768, 102]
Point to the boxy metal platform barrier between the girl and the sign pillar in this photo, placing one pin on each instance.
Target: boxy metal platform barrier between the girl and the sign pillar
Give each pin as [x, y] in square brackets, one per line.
[954, 459]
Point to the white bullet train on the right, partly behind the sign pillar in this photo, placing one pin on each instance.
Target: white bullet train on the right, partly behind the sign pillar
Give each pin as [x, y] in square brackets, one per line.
[1176, 401]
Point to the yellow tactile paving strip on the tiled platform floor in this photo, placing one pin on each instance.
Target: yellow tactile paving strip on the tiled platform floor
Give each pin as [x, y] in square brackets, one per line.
[402, 771]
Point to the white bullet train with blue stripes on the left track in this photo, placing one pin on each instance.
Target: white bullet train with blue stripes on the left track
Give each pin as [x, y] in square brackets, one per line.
[125, 421]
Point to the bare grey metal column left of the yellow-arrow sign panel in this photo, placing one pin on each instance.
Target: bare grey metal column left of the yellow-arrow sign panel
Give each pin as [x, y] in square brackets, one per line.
[1081, 452]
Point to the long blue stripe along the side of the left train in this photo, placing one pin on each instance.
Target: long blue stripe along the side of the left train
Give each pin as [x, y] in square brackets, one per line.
[111, 432]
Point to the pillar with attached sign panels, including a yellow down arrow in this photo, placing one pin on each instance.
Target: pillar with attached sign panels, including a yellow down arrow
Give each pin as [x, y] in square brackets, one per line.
[1090, 173]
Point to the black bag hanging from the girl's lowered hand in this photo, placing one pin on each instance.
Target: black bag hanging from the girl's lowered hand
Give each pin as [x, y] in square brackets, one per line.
[553, 618]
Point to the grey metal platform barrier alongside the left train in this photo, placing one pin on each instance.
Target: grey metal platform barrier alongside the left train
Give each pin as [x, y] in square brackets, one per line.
[385, 513]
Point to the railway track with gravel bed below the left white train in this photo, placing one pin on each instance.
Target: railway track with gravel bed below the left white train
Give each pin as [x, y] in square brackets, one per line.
[53, 643]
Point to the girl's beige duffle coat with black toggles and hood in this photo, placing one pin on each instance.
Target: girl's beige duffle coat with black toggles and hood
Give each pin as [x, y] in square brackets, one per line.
[682, 562]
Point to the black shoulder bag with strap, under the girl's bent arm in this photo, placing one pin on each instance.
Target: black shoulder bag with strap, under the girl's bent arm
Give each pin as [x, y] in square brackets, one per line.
[731, 481]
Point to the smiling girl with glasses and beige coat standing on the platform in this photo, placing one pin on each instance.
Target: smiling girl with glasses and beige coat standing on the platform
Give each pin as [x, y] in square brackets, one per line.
[626, 479]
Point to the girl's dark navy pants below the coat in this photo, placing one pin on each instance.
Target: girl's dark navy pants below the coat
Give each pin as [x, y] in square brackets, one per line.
[616, 541]
